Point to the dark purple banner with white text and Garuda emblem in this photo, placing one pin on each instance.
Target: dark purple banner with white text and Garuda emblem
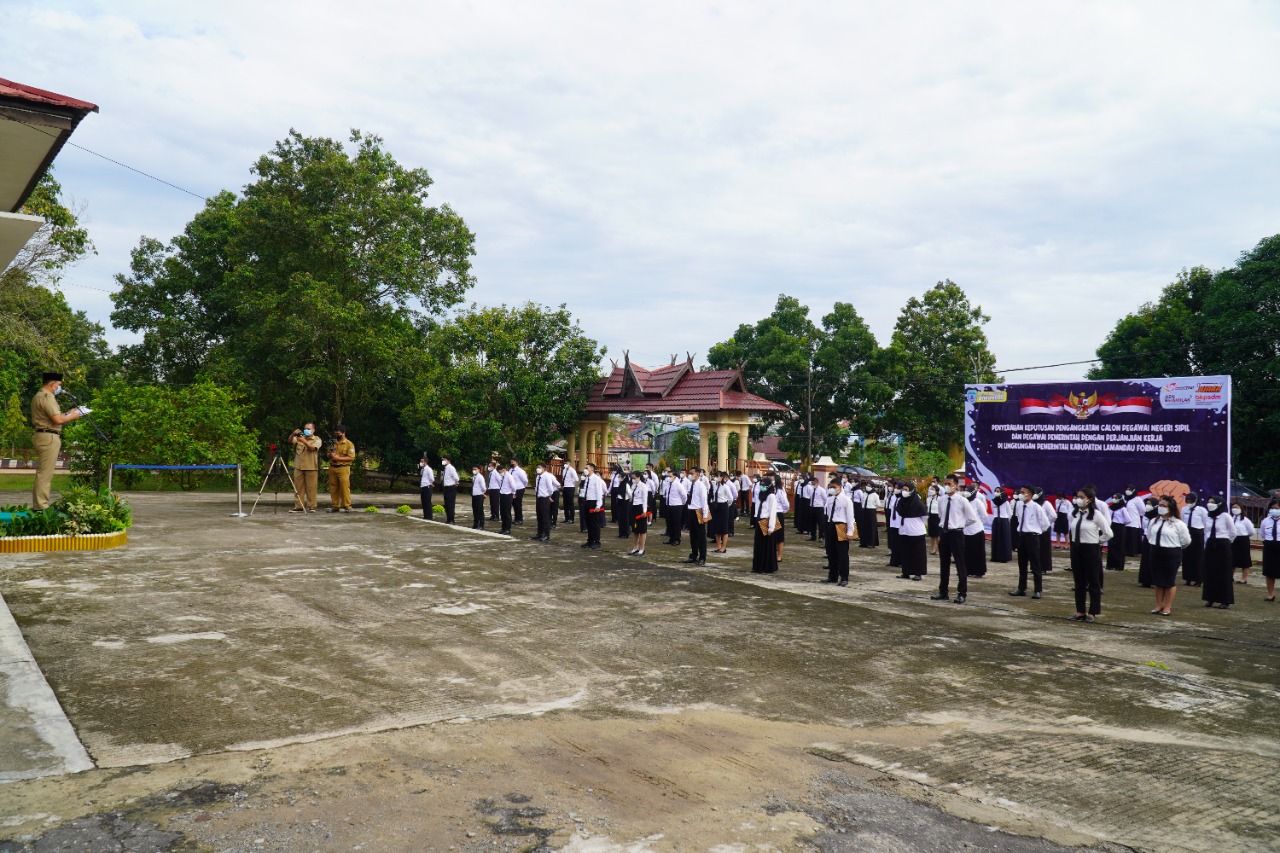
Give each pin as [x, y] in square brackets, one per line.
[1167, 436]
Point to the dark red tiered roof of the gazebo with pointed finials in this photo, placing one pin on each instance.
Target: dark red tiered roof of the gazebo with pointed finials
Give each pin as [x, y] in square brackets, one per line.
[676, 389]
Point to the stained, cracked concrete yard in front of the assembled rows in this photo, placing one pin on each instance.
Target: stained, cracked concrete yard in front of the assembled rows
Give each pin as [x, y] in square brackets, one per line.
[377, 682]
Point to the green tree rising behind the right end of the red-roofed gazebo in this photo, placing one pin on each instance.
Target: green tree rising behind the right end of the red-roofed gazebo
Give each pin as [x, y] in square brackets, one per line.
[824, 376]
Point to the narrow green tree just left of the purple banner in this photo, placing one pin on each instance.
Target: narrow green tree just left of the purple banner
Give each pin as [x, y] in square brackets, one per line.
[938, 348]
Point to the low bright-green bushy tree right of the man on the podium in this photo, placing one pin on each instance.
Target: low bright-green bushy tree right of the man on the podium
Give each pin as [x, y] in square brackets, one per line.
[199, 425]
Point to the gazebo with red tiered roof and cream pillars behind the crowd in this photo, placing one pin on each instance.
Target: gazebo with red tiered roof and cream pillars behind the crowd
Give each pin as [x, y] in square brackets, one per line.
[719, 398]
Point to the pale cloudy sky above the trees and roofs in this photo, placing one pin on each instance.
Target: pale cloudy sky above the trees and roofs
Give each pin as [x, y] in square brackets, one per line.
[669, 170]
